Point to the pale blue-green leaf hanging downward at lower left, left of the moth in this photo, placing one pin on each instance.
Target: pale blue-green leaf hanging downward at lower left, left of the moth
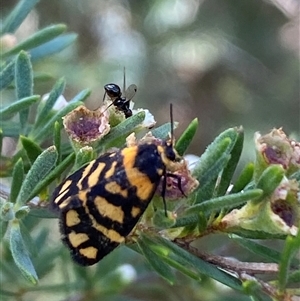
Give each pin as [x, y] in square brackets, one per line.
[20, 254]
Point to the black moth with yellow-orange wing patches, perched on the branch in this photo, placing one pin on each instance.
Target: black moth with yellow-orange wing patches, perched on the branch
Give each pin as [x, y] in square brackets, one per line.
[101, 203]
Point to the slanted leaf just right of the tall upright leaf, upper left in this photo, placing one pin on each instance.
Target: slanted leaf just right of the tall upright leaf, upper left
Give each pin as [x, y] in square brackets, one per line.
[43, 113]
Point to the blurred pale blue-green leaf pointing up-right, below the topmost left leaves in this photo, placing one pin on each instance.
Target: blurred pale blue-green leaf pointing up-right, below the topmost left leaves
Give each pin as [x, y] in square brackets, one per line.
[53, 46]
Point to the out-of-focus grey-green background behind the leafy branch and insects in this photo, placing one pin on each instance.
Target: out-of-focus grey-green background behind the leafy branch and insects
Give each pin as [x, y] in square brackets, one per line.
[226, 62]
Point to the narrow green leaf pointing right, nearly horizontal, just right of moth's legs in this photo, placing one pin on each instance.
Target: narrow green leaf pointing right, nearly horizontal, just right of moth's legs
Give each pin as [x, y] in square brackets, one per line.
[225, 202]
